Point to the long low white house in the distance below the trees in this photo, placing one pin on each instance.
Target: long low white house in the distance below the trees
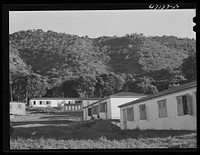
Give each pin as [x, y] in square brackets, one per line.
[70, 104]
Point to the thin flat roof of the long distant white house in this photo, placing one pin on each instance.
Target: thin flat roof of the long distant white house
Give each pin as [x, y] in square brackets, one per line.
[59, 98]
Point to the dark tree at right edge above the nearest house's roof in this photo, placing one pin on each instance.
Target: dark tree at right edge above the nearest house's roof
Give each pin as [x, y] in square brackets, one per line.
[188, 67]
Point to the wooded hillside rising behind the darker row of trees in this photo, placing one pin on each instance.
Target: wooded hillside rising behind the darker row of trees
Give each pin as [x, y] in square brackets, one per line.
[60, 57]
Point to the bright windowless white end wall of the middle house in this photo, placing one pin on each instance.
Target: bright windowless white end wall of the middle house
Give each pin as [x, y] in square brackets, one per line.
[115, 102]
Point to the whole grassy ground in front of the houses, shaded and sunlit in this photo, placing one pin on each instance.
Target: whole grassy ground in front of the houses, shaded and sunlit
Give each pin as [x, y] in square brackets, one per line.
[67, 131]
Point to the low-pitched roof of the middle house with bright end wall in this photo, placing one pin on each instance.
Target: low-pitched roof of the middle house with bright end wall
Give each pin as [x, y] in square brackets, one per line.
[118, 95]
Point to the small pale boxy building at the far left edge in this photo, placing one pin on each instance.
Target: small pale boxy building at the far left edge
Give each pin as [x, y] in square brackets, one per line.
[17, 108]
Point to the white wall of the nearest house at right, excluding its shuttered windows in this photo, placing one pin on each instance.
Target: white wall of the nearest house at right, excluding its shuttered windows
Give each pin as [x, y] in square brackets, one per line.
[172, 121]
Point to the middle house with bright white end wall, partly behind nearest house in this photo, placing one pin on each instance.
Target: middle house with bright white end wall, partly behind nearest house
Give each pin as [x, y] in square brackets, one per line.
[107, 108]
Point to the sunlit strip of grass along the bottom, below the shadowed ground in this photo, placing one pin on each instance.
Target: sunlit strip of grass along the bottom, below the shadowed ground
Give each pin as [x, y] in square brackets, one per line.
[187, 141]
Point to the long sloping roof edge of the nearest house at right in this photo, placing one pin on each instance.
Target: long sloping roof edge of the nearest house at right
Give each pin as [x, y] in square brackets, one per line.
[165, 92]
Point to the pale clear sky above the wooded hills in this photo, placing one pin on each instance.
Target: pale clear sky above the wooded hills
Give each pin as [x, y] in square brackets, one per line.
[96, 23]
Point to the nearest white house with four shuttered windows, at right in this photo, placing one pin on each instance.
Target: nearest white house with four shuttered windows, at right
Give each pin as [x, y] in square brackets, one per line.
[174, 108]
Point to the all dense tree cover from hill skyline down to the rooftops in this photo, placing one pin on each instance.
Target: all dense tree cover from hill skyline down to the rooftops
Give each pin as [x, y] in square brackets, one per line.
[63, 65]
